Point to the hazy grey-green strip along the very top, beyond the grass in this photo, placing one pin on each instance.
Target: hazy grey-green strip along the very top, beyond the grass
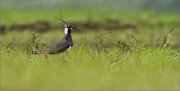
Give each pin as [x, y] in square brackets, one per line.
[114, 5]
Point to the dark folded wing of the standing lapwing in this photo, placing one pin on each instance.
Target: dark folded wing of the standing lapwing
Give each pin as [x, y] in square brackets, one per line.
[59, 47]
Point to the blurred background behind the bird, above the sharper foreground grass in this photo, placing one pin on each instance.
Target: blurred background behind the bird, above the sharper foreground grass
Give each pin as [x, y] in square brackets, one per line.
[148, 20]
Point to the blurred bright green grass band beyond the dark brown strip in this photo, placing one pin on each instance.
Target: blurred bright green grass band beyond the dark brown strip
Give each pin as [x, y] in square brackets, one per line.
[150, 17]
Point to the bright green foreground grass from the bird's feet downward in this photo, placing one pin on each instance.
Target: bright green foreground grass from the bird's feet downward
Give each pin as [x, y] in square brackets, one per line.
[85, 68]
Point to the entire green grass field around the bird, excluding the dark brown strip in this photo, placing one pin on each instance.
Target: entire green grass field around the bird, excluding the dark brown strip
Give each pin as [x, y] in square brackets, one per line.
[99, 60]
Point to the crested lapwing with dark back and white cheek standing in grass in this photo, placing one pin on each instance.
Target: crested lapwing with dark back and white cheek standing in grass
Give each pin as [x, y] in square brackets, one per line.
[61, 46]
